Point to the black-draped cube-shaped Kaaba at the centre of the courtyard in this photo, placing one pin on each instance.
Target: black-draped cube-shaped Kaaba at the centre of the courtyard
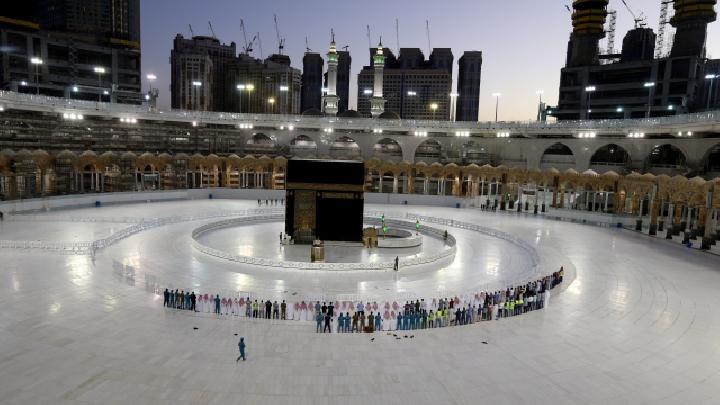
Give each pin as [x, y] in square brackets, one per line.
[324, 200]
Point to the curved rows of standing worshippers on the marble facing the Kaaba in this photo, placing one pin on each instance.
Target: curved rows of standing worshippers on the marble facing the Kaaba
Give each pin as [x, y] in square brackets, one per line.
[413, 315]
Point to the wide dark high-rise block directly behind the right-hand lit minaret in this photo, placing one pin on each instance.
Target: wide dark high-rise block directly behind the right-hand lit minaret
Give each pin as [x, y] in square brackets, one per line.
[412, 87]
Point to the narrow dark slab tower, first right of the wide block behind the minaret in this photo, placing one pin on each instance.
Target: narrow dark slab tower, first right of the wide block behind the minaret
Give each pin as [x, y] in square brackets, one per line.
[468, 88]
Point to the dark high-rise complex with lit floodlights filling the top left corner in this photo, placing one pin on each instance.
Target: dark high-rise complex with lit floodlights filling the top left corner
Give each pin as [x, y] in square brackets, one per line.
[81, 49]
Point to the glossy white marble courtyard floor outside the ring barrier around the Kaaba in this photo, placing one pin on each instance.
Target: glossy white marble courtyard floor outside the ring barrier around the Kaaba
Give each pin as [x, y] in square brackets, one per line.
[638, 324]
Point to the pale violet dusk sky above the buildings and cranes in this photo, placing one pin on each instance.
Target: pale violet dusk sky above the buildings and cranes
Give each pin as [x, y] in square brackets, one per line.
[523, 41]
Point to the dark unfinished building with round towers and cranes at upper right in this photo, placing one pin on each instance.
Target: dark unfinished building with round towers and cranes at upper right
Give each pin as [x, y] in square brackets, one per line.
[635, 84]
